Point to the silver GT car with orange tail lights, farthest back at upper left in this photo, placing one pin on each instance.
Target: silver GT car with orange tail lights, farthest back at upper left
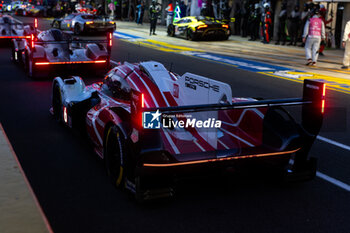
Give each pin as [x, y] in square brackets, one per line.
[84, 23]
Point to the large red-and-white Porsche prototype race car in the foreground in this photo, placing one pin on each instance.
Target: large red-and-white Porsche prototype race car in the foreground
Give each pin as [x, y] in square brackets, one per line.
[151, 125]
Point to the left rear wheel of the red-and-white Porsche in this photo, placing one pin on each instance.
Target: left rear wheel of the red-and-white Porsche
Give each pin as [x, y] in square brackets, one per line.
[114, 150]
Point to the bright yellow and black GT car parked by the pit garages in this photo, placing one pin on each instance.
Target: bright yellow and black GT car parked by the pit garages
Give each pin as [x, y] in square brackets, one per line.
[199, 27]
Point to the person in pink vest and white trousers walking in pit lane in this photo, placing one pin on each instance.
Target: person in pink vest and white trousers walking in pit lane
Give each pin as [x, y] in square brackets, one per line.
[314, 32]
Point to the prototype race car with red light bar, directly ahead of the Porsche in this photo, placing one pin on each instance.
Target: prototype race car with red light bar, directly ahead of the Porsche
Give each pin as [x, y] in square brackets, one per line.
[54, 50]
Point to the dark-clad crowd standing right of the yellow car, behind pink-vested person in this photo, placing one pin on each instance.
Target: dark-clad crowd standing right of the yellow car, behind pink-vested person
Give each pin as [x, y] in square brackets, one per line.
[254, 20]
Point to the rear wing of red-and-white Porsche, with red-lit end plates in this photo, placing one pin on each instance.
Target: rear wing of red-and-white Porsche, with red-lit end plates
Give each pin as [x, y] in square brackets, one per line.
[313, 105]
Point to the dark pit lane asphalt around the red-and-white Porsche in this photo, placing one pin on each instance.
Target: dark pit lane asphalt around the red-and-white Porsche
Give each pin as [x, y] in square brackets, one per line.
[72, 187]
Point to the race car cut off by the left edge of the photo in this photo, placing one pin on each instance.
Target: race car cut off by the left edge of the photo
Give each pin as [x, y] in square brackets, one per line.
[13, 29]
